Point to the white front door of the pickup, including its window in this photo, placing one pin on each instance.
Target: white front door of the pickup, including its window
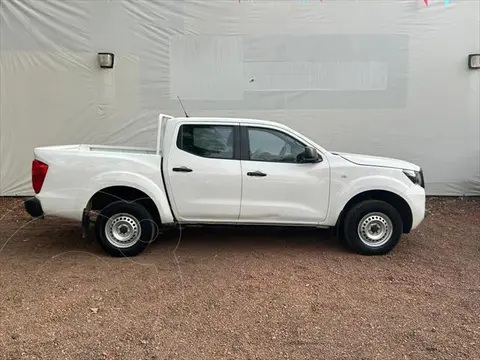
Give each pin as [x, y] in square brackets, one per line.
[277, 186]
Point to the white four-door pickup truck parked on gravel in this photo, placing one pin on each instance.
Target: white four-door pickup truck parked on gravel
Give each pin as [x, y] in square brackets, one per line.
[226, 171]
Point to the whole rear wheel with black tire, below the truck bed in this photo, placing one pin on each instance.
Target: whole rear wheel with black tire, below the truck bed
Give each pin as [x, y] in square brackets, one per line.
[137, 220]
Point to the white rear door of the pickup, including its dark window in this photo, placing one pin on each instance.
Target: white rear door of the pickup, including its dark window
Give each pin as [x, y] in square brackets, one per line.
[204, 172]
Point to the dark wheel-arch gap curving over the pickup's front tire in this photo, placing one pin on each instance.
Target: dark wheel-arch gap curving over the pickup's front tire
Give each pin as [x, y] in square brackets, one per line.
[398, 202]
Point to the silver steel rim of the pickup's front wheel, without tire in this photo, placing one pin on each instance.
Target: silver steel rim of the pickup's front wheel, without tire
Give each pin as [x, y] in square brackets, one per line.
[375, 229]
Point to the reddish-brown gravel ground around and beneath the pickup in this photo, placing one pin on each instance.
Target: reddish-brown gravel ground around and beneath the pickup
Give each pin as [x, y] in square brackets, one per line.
[241, 293]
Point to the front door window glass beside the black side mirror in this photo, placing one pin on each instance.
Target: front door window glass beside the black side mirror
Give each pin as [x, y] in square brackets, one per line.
[274, 146]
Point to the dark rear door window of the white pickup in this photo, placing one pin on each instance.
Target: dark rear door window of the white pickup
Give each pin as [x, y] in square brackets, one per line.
[210, 141]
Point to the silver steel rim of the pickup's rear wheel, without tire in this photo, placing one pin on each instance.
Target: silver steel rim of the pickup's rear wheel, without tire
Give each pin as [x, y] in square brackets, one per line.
[123, 230]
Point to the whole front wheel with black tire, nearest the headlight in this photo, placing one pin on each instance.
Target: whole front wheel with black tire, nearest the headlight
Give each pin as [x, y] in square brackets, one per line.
[380, 214]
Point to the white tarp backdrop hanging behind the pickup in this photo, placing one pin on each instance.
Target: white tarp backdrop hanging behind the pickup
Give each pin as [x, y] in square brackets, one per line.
[382, 77]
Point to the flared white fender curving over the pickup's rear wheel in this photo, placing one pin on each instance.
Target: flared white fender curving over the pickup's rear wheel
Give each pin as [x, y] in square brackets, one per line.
[124, 178]
